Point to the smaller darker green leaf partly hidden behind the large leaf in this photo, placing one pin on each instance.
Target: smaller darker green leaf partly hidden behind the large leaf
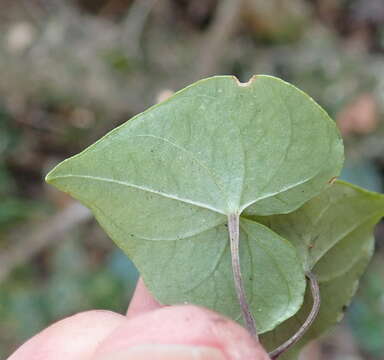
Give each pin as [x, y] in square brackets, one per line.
[333, 235]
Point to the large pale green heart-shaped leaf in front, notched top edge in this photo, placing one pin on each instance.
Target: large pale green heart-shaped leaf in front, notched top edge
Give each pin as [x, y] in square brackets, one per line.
[163, 185]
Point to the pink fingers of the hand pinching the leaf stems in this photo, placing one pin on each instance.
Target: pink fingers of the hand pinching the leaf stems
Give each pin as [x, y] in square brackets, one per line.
[148, 331]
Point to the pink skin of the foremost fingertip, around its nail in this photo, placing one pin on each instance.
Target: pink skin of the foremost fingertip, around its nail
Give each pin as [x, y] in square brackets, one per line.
[185, 325]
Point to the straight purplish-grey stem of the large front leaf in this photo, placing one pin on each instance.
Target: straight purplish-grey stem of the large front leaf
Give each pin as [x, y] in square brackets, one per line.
[234, 239]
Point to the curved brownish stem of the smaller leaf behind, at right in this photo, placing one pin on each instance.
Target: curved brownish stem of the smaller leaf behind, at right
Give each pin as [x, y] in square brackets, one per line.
[315, 291]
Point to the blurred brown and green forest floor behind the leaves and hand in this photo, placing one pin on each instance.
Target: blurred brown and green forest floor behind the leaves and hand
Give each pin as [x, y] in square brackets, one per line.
[71, 70]
